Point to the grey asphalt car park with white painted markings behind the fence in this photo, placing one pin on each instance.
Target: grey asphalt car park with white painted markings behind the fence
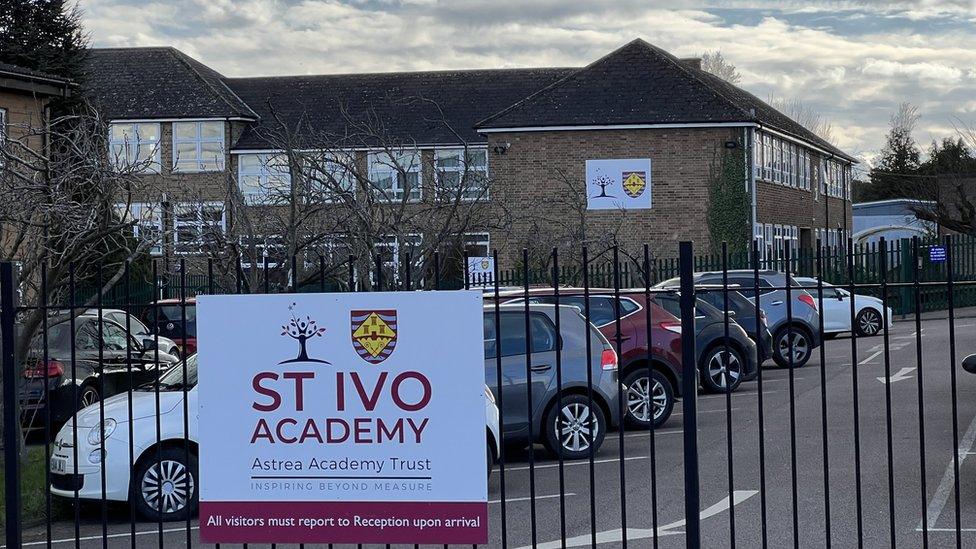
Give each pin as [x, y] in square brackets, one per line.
[537, 521]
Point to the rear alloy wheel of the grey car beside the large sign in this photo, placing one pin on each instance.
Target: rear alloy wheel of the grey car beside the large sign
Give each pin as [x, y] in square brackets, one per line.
[575, 427]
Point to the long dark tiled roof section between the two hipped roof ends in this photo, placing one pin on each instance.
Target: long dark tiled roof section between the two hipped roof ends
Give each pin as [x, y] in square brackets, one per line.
[385, 108]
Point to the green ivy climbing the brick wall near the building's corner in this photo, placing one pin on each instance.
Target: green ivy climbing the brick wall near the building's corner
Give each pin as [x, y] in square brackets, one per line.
[728, 202]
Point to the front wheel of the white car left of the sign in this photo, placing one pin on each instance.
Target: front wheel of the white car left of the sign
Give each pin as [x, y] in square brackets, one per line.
[166, 488]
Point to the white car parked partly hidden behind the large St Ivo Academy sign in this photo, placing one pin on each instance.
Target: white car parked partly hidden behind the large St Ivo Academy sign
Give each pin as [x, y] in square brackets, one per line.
[164, 471]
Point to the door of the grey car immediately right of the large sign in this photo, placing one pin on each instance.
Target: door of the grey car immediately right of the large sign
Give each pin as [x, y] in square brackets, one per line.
[511, 344]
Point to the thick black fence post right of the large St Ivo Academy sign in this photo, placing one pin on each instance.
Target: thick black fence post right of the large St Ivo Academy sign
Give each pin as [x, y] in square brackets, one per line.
[689, 401]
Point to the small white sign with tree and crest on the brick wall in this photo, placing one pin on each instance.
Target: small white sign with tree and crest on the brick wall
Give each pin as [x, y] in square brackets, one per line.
[618, 184]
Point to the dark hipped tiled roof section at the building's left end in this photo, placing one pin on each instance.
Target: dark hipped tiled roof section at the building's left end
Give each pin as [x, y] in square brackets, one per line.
[137, 83]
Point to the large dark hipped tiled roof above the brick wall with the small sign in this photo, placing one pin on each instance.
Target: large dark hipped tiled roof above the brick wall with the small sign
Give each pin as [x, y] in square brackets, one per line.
[642, 84]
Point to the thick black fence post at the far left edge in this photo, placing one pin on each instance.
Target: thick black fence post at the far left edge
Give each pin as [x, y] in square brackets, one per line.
[11, 416]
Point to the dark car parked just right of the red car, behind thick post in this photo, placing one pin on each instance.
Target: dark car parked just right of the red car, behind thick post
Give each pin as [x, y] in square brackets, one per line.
[718, 360]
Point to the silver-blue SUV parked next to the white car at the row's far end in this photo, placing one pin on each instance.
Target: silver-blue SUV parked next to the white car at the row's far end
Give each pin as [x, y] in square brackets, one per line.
[803, 322]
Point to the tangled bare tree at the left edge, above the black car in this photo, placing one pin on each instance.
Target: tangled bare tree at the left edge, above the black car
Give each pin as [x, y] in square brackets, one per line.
[61, 195]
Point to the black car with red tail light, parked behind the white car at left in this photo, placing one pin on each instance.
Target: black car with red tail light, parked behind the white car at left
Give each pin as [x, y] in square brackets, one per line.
[102, 367]
